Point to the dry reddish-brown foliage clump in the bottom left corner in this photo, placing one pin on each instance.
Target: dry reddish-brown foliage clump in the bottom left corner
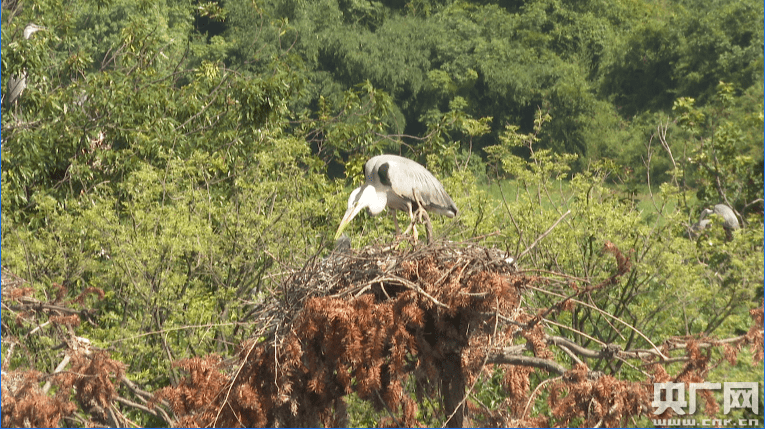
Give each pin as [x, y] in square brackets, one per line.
[91, 380]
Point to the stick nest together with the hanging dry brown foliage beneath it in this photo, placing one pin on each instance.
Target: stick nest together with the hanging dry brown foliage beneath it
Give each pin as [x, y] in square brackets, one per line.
[368, 321]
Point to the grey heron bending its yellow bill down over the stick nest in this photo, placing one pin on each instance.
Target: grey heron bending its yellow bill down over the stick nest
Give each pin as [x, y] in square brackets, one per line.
[400, 184]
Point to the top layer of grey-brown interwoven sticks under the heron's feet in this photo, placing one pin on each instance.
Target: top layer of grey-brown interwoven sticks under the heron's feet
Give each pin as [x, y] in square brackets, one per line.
[444, 273]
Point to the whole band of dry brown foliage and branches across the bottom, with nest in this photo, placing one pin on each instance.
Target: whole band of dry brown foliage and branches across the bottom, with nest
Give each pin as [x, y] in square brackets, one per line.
[379, 324]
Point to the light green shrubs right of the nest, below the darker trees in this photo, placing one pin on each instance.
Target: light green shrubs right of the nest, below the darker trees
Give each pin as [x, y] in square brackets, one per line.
[709, 279]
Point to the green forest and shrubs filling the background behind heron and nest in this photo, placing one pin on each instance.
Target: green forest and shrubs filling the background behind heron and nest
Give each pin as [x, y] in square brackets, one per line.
[171, 160]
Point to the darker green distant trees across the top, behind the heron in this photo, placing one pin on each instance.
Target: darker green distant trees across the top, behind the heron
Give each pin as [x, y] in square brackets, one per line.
[507, 61]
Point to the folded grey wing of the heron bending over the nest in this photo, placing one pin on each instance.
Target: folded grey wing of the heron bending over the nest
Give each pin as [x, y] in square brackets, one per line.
[406, 175]
